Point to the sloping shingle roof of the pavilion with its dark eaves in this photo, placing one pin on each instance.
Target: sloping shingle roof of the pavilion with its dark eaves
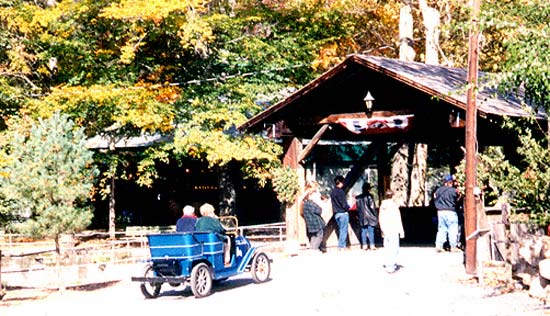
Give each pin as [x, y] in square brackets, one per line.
[348, 80]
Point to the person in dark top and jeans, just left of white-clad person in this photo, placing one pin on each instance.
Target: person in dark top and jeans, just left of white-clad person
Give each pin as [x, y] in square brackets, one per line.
[368, 216]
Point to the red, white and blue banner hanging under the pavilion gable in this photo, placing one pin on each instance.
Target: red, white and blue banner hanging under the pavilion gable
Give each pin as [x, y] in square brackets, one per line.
[374, 125]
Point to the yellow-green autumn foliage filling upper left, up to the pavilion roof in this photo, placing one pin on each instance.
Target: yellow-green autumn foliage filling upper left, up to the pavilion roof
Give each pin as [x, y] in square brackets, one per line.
[116, 60]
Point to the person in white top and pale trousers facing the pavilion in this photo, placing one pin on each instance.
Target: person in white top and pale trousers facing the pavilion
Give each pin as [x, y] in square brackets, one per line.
[392, 230]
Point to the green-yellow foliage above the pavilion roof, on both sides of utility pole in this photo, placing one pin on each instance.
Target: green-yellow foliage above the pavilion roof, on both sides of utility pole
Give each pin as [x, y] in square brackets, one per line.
[515, 43]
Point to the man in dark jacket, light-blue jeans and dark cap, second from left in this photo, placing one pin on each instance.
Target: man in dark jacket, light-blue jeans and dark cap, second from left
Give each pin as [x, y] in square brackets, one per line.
[340, 208]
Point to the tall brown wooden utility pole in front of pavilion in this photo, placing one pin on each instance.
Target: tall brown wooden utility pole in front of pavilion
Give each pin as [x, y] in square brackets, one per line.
[470, 209]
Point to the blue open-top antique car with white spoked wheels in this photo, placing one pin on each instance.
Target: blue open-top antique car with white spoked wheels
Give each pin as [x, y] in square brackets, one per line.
[197, 259]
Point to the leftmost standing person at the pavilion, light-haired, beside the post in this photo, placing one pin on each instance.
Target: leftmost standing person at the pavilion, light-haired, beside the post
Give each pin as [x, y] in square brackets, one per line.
[312, 211]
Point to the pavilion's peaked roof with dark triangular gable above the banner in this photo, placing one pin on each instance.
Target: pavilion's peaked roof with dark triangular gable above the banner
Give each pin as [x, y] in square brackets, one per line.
[431, 92]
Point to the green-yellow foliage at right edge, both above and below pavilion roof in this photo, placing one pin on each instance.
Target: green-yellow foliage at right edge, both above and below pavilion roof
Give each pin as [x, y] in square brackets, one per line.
[515, 43]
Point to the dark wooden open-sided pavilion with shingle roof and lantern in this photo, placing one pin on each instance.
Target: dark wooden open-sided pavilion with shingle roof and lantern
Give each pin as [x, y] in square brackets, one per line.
[410, 102]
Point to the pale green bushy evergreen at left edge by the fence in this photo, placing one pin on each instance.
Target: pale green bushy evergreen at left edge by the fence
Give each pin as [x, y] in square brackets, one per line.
[47, 178]
